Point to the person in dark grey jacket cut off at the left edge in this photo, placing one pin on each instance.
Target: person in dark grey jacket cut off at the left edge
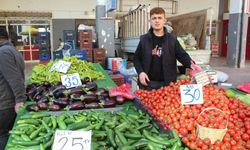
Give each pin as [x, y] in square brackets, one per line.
[12, 88]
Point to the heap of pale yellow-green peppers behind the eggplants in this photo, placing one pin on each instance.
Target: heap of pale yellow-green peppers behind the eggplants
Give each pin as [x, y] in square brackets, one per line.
[42, 73]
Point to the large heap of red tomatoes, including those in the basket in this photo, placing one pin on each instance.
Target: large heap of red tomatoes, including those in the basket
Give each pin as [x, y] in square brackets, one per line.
[165, 105]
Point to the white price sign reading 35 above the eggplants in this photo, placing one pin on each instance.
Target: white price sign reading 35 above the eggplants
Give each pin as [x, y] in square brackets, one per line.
[71, 80]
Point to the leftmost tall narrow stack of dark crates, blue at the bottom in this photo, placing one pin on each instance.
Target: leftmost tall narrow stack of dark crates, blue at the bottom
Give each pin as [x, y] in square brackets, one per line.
[44, 46]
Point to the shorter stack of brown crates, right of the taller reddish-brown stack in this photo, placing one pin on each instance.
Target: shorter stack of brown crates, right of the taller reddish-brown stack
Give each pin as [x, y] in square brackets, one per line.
[99, 55]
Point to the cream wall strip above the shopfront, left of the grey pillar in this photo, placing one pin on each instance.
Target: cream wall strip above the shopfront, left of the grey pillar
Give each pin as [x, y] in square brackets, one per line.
[59, 8]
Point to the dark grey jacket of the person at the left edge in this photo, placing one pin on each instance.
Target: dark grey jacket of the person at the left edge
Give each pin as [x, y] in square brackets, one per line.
[12, 88]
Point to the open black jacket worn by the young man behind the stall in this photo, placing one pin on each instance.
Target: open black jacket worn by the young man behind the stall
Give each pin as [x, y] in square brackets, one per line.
[172, 51]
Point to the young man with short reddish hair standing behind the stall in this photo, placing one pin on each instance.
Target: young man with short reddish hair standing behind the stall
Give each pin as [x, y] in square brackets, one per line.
[156, 54]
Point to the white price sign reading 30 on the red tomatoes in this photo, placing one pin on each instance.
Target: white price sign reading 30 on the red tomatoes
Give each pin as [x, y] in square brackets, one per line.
[191, 94]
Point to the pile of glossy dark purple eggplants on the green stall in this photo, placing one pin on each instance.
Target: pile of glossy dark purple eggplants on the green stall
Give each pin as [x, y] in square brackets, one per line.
[55, 97]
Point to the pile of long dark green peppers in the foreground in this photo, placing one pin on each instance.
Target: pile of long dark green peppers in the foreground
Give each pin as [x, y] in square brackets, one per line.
[125, 129]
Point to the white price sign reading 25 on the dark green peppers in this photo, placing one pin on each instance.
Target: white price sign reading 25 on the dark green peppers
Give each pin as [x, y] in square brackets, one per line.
[72, 140]
